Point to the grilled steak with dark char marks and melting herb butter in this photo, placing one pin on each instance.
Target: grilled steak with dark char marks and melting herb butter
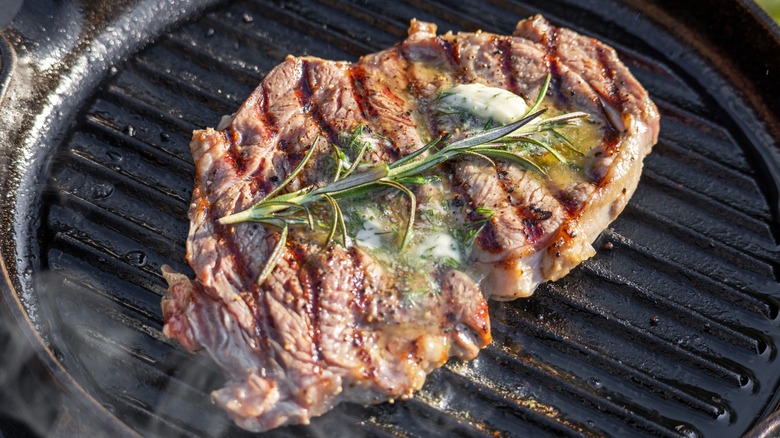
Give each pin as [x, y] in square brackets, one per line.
[349, 320]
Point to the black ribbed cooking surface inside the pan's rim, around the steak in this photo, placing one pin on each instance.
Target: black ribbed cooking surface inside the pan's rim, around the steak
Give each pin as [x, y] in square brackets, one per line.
[670, 330]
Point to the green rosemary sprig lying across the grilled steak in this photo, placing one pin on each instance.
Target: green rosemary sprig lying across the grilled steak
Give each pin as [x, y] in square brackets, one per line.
[500, 143]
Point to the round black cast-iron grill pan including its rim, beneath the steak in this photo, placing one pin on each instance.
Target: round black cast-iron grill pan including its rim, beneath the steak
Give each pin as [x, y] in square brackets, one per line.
[670, 330]
